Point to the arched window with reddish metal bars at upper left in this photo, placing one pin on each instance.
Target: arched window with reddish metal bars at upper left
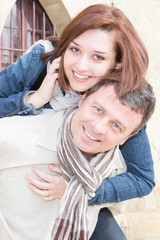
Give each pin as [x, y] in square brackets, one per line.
[26, 23]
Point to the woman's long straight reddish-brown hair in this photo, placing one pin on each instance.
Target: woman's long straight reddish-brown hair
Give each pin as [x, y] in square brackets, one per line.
[131, 53]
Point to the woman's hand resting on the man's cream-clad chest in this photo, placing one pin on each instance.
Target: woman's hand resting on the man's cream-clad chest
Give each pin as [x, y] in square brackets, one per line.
[52, 187]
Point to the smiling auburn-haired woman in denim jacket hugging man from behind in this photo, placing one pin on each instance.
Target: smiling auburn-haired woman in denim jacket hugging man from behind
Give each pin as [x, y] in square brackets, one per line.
[120, 53]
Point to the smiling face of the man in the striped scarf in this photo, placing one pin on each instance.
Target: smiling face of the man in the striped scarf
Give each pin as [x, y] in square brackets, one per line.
[102, 122]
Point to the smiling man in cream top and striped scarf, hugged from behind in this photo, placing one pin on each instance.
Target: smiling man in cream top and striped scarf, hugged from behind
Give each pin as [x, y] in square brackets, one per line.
[100, 124]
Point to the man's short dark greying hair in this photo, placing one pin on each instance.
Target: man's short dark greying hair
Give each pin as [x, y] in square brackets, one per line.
[142, 100]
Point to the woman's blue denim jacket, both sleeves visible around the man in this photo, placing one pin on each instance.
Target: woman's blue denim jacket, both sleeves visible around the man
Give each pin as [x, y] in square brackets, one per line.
[15, 83]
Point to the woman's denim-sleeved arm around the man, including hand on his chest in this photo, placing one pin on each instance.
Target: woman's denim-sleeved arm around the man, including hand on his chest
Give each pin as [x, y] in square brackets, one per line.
[138, 181]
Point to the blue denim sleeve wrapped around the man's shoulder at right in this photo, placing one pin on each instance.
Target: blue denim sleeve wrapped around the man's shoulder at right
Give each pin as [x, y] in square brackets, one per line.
[138, 181]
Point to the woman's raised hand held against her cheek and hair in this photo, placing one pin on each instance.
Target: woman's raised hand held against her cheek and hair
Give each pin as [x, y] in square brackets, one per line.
[48, 87]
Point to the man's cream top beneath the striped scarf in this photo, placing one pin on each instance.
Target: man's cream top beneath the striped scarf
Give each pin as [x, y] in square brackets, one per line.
[27, 142]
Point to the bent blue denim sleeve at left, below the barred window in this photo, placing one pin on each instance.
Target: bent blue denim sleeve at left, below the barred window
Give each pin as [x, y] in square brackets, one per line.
[17, 79]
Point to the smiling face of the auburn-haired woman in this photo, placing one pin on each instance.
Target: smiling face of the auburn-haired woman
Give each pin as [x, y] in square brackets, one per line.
[88, 57]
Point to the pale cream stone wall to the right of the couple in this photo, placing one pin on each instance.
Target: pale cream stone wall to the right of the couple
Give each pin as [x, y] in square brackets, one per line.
[141, 220]
